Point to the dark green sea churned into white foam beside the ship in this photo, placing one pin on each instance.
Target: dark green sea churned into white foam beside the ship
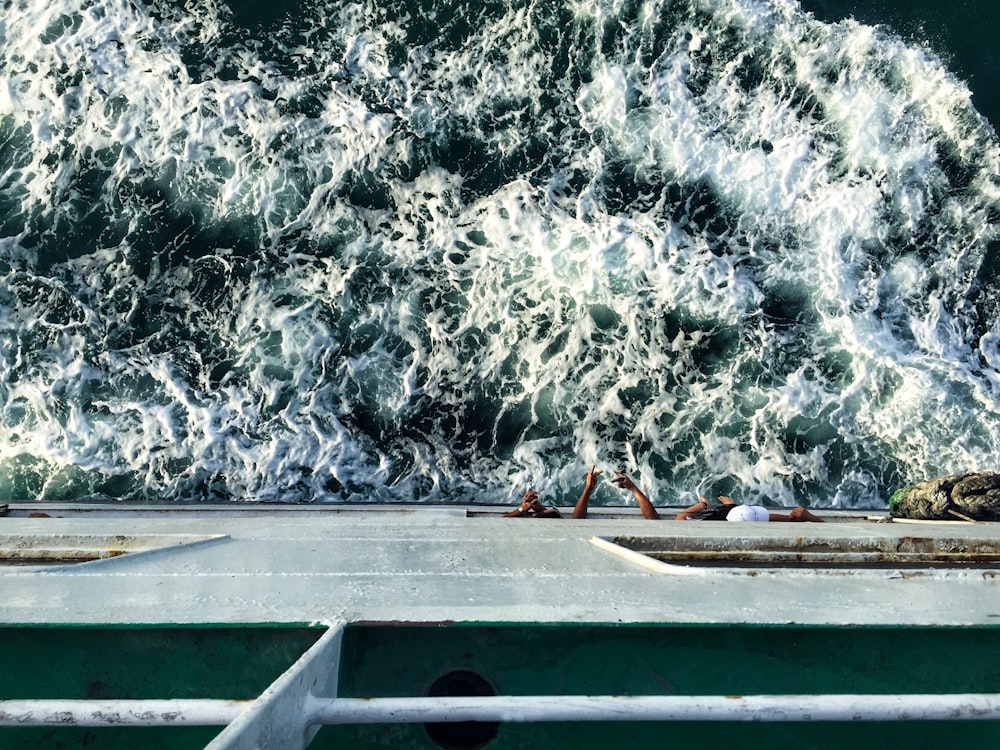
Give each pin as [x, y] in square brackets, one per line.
[444, 251]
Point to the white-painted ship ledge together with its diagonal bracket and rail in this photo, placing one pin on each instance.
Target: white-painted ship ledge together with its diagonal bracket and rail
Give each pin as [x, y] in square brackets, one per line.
[336, 566]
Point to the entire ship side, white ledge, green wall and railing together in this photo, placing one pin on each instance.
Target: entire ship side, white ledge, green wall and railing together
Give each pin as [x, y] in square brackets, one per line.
[414, 627]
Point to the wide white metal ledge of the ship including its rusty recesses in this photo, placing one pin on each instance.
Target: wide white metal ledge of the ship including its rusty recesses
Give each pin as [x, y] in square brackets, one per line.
[289, 564]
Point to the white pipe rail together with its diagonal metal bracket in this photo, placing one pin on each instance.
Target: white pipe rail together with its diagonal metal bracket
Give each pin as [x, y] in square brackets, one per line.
[304, 698]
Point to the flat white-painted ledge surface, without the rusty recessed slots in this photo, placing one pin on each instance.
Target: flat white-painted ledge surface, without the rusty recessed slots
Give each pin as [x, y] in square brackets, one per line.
[437, 565]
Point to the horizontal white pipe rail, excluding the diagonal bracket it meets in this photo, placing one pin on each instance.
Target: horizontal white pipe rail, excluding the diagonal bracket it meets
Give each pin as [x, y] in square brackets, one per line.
[770, 708]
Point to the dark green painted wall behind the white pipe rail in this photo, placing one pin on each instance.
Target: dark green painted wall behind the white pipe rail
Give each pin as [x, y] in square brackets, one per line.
[391, 661]
